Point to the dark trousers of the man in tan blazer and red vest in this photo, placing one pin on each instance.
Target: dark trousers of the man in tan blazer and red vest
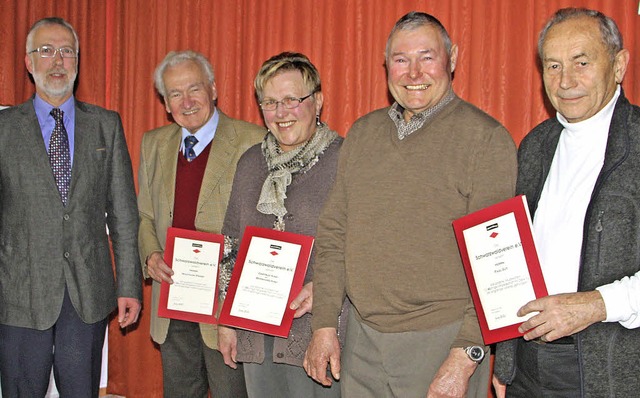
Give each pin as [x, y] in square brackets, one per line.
[191, 369]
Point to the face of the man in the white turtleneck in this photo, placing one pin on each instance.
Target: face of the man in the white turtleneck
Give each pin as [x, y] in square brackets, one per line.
[579, 75]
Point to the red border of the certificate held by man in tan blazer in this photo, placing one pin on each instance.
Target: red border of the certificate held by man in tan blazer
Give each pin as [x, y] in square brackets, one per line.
[163, 311]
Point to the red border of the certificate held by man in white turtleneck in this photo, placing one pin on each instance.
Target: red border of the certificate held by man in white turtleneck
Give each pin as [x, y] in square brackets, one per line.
[518, 206]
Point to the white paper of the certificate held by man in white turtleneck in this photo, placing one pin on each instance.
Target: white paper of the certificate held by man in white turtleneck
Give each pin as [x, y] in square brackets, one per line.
[500, 270]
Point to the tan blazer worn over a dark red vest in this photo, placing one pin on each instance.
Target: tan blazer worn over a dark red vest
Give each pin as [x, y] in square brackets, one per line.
[156, 178]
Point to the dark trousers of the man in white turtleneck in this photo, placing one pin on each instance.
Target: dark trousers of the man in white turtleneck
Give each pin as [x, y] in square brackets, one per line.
[545, 370]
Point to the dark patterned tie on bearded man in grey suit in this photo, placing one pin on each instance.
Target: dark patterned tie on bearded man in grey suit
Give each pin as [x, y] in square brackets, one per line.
[59, 156]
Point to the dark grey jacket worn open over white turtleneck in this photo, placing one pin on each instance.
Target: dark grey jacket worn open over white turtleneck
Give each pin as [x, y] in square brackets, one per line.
[607, 351]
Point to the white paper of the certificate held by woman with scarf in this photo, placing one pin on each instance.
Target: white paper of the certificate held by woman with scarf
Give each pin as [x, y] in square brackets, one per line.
[266, 280]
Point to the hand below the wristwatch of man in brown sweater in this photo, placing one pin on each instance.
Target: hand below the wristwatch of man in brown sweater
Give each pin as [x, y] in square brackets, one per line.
[452, 379]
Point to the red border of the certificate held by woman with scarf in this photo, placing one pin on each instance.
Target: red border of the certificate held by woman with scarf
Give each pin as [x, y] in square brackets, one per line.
[281, 330]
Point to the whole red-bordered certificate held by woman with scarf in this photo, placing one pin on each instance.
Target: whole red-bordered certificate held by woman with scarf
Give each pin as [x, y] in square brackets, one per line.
[269, 273]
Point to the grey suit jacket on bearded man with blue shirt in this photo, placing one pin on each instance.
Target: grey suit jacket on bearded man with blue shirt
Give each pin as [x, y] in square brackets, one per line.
[44, 246]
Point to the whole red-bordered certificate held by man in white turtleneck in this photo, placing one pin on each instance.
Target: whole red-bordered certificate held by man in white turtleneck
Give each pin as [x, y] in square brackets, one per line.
[501, 264]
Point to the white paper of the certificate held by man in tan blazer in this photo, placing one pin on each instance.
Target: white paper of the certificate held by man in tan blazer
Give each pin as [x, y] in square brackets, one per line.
[195, 267]
